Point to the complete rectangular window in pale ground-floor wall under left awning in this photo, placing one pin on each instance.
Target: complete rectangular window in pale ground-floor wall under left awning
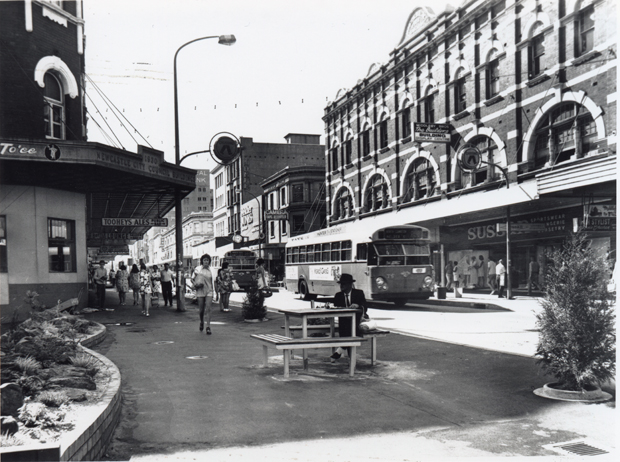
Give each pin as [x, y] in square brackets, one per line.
[61, 245]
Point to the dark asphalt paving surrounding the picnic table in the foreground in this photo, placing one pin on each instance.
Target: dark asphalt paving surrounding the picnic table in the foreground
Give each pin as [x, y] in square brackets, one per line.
[187, 392]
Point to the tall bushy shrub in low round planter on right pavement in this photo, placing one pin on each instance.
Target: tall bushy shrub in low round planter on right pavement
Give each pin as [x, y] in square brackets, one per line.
[577, 337]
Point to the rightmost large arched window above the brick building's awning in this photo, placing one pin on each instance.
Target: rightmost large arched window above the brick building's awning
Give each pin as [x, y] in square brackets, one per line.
[566, 132]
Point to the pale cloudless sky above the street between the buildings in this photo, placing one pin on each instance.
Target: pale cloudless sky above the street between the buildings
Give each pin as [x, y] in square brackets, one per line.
[289, 61]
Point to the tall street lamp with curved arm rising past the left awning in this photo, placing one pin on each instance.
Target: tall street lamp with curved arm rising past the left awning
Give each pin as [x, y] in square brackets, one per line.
[178, 204]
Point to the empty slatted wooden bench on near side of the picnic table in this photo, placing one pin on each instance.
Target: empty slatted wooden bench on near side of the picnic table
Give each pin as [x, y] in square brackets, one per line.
[280, 342]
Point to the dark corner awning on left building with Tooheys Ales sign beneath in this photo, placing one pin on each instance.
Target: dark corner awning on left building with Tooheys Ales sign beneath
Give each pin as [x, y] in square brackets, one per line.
[117, 183]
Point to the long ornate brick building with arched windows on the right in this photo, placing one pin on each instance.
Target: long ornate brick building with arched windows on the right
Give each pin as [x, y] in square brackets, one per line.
[531, 84]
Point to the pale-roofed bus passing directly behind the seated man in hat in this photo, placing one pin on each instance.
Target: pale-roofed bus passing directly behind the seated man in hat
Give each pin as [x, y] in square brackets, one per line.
[390, 264]
